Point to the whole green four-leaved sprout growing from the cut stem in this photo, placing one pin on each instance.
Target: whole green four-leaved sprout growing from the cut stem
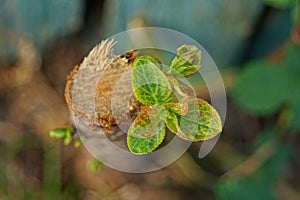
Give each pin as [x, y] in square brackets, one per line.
[167, 102]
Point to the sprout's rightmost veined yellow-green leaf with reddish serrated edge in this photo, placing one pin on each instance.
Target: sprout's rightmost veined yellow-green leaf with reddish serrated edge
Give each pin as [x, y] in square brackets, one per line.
[201, 122]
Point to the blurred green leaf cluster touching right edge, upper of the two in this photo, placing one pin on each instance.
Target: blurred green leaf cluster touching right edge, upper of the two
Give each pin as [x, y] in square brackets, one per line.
[265, 87]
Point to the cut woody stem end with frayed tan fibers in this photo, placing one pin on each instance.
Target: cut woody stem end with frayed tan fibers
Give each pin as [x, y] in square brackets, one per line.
[90, 85]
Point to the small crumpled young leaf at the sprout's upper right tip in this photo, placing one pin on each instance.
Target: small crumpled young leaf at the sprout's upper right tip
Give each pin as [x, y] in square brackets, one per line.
[187, 60]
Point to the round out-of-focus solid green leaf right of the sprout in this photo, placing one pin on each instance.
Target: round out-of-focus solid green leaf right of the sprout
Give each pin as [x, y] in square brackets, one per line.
[261, 88]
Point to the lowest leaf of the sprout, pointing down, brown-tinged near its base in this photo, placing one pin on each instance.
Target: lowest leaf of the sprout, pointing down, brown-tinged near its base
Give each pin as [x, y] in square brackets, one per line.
[144, 136]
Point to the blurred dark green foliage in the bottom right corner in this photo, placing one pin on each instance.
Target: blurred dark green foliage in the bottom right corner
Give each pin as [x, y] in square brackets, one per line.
[261, 184]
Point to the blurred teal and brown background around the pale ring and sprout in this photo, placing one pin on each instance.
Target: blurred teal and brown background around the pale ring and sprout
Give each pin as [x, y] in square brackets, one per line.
[255, 44]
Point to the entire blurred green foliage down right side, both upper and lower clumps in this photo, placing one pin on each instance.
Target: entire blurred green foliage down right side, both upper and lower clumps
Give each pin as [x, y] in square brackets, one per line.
[265, 88]
